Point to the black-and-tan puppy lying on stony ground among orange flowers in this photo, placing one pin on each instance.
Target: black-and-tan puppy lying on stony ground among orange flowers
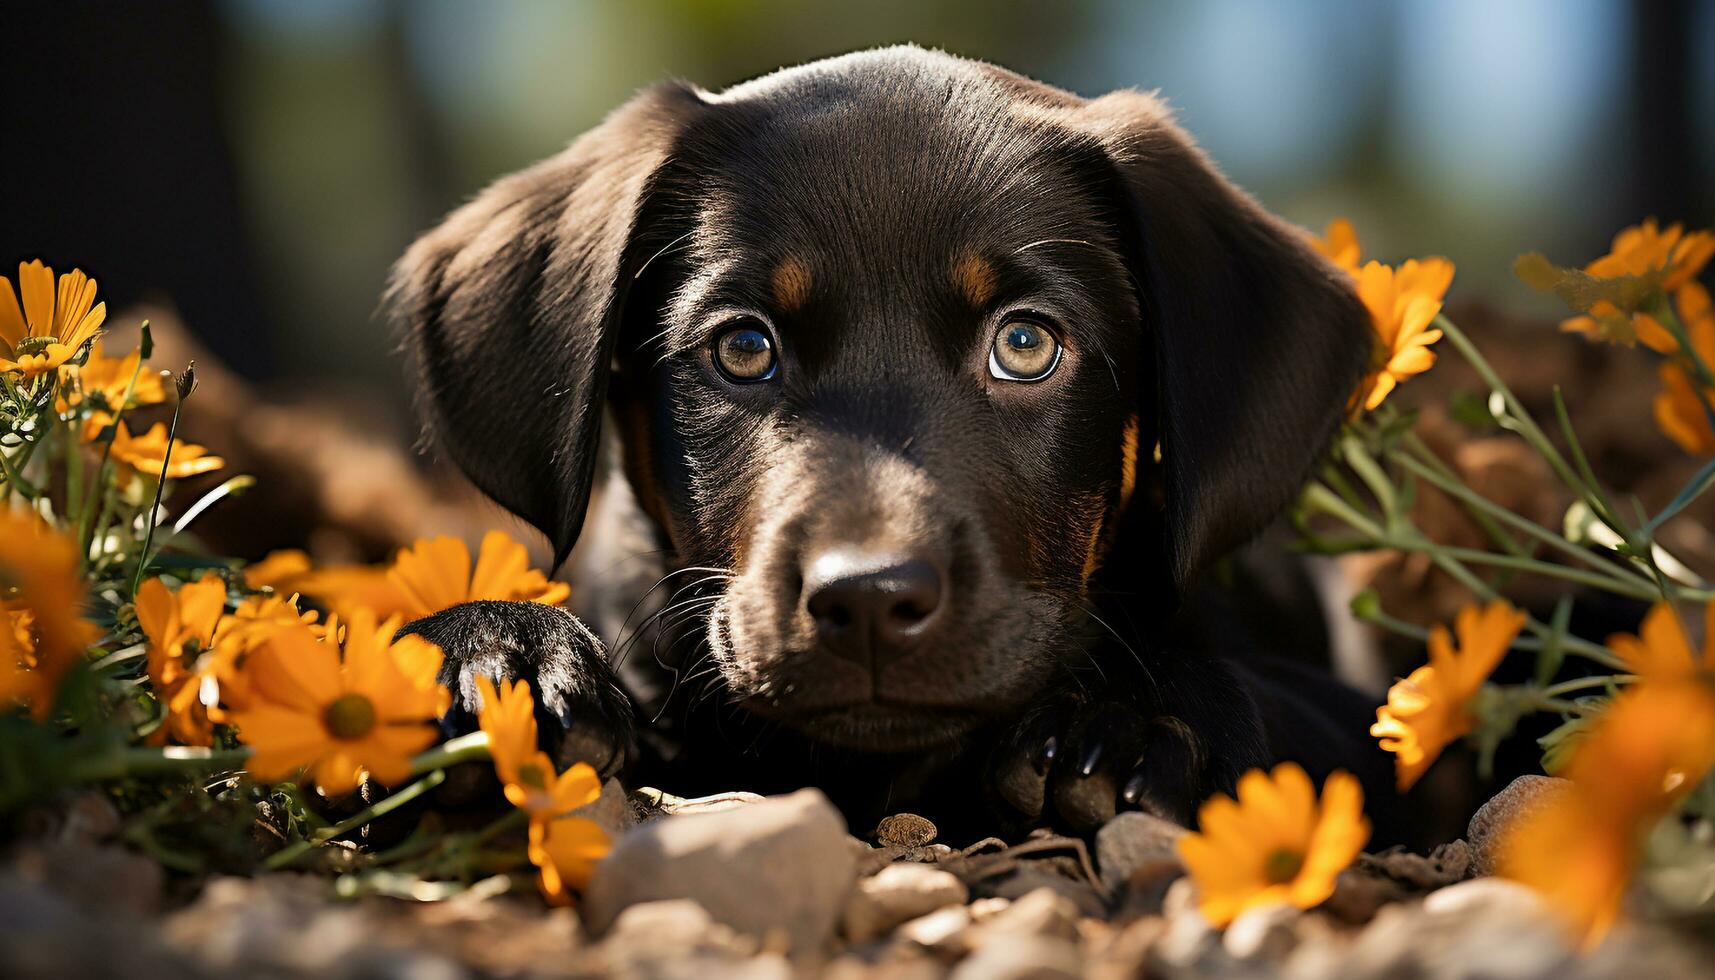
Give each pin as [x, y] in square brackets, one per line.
[937, 387]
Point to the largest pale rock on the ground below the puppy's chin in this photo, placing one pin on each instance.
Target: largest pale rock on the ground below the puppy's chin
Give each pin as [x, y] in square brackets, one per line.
[774, 866]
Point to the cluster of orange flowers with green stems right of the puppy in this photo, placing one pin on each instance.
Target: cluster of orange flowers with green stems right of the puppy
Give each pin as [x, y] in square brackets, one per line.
[1637, 737]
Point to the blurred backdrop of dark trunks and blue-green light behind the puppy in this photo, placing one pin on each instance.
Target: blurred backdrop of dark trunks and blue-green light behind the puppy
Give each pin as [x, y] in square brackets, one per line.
[251, 169]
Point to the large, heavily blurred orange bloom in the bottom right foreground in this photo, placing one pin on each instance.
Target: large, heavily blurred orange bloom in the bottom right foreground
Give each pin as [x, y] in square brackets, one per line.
[1651, 747]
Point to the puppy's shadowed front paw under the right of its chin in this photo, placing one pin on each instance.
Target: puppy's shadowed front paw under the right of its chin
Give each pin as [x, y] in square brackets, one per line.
[1081, 763]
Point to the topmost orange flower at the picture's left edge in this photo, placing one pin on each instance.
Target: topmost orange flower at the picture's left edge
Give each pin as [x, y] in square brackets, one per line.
[49, 330]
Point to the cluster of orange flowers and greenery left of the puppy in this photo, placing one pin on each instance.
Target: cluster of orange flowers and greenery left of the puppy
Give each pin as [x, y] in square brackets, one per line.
[128, 655]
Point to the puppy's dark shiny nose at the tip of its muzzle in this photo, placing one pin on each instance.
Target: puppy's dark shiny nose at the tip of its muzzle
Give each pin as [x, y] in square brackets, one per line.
[874, 608]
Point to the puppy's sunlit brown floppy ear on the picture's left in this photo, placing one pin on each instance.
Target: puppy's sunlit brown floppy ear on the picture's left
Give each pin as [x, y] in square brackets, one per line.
[510, 313]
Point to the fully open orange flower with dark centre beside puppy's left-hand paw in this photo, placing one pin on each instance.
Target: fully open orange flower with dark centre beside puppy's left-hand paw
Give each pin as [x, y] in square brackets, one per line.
[340, 717]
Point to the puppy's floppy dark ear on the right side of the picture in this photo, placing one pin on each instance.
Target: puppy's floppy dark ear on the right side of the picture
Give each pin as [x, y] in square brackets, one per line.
[1258, 342]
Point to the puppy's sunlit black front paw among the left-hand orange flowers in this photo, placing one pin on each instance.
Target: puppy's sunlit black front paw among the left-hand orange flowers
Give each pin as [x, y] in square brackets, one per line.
[582, 711]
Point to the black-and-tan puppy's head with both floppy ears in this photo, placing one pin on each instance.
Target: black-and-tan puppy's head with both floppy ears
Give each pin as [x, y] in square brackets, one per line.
[925, 354]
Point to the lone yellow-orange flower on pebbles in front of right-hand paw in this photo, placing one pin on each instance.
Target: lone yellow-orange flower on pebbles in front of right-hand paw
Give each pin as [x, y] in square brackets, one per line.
[1277, 844]
